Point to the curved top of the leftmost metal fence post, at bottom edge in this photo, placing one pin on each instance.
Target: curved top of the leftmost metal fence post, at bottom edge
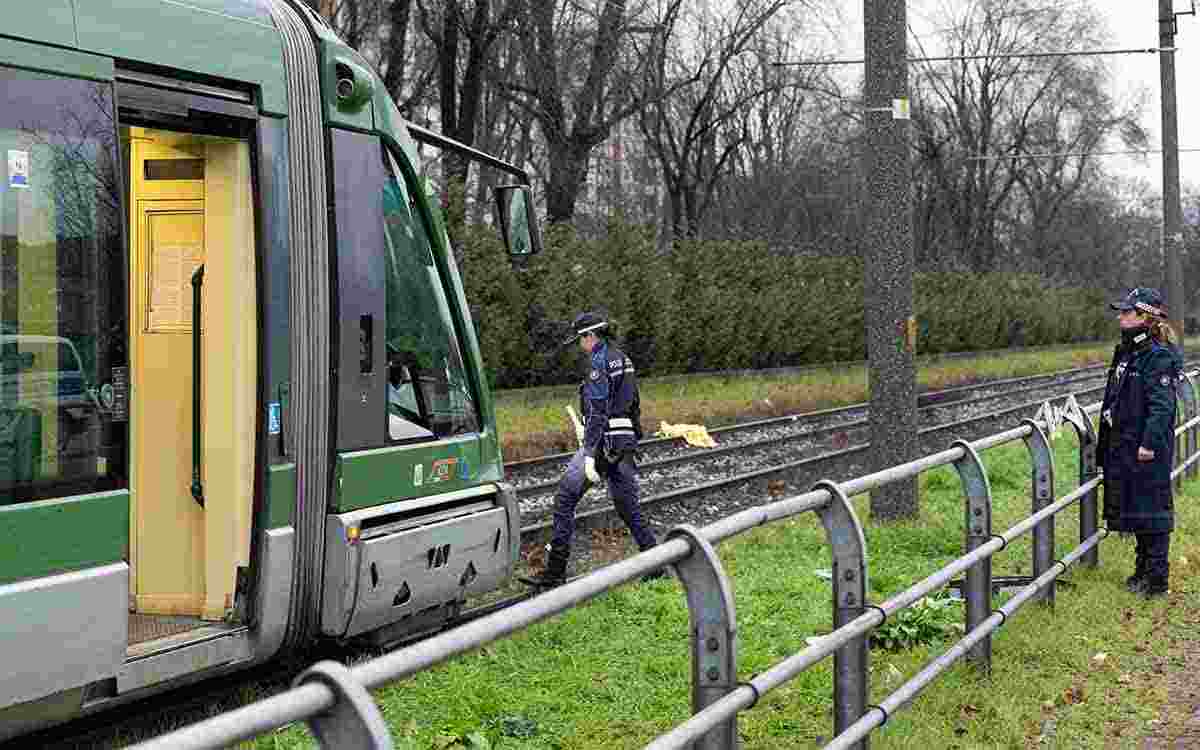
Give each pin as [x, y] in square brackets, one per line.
[355, 722]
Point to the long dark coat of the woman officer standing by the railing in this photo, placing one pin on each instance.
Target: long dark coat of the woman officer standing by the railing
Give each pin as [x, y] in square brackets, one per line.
[1139, 412]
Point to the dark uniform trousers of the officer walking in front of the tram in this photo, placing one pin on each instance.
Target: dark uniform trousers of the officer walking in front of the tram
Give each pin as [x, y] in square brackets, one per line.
[622, 478]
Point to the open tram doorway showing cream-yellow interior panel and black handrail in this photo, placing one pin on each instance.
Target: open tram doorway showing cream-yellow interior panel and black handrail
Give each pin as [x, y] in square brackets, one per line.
[191, 232]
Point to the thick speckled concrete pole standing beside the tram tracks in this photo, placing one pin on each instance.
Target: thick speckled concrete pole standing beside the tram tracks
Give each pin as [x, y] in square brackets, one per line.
[889, 256]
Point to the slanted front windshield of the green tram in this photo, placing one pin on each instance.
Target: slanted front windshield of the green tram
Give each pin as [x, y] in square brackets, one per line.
[428, 385]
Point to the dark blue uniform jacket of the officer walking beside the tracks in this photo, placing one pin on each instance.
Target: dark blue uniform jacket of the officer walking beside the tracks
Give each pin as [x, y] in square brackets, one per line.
[610, 403]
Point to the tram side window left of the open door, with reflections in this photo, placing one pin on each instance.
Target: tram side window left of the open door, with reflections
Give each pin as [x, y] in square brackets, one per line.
[63, 305]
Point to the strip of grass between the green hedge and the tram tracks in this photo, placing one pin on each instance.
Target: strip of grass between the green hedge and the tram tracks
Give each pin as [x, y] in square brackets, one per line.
[535, 422]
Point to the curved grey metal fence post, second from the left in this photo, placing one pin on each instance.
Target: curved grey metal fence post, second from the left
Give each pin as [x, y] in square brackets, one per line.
[715, 671]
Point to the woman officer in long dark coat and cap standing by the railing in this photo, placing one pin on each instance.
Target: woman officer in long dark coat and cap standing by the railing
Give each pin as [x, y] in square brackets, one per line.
[1137, 437]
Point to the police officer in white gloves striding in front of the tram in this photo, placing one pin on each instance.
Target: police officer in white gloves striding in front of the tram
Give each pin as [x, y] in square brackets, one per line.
[611, 410]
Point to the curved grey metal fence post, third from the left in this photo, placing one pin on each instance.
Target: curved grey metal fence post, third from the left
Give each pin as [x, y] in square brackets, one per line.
[849, 551]
